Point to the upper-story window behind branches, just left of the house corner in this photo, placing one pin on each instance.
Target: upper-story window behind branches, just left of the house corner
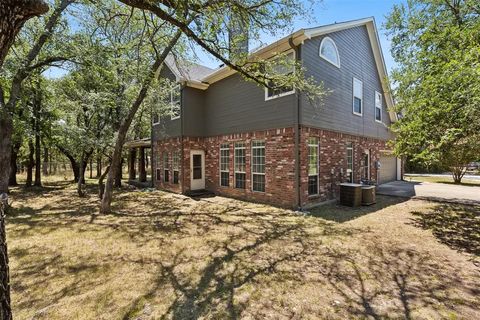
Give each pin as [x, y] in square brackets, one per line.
[281, 68]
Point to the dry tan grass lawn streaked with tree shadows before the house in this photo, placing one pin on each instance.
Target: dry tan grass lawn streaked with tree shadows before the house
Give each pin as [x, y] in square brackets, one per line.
[165, 256]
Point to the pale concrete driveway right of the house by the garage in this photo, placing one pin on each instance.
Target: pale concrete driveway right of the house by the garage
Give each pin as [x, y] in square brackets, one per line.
[431, 191]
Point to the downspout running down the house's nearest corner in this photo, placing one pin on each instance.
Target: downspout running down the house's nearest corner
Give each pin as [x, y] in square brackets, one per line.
[296, 128]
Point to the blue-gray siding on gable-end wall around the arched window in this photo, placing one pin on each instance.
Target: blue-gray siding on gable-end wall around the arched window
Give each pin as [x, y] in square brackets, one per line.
[356, 60]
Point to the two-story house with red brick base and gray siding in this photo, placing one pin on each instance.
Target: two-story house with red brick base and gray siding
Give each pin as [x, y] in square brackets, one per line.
[237, 139]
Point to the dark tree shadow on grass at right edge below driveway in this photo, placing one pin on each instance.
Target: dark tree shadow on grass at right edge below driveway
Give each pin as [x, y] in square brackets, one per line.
[455, 225]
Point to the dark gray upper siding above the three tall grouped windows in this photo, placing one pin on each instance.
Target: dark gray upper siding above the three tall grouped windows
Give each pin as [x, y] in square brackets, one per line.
[235, 105]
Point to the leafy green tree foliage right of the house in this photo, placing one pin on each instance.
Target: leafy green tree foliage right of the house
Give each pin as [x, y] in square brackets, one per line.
[437, 47]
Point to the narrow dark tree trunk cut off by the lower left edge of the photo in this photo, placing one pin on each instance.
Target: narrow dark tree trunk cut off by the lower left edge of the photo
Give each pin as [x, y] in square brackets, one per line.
[5, 308]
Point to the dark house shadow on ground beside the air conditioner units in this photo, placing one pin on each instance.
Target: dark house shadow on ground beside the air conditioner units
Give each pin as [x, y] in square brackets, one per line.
[339, 213]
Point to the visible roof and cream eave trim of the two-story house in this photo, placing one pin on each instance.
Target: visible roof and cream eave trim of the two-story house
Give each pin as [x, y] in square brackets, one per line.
[297, 38]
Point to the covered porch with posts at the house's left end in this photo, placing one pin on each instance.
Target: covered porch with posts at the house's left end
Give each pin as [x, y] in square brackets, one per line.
[140, 162]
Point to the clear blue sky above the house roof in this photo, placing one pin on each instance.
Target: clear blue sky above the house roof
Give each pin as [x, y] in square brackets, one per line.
[331, 11]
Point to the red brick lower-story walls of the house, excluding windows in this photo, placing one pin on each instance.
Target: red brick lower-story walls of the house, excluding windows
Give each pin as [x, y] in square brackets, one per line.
[279, 164]
